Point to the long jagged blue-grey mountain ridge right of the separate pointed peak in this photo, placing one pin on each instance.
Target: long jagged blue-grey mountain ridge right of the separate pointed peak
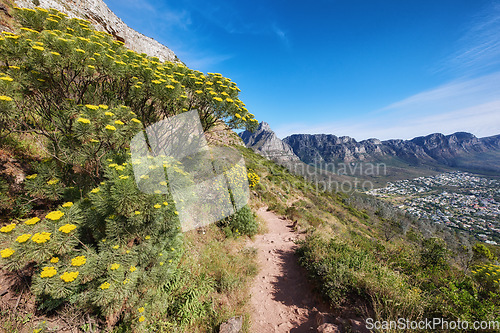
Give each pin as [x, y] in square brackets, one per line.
[450, 150]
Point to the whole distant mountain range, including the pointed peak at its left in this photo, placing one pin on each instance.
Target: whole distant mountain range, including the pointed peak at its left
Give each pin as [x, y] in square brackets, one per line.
[460, 150]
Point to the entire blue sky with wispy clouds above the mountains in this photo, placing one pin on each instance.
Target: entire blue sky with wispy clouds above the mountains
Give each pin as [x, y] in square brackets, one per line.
[385, 69]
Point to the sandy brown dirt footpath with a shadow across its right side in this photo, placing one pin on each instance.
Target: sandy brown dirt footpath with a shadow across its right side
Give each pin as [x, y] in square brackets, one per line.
[282, 299]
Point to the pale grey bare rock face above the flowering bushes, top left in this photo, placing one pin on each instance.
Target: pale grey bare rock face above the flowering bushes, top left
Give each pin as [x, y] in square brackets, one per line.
[97, 12]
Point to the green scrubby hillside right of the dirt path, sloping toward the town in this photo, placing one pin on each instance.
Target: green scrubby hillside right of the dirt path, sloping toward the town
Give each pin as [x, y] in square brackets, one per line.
[369, 257]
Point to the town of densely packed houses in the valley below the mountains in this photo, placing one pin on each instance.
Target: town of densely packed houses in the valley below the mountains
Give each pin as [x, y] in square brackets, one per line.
[455, 199]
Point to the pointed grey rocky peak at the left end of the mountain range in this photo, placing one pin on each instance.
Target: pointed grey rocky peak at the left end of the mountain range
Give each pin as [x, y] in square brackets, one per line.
[265, 142]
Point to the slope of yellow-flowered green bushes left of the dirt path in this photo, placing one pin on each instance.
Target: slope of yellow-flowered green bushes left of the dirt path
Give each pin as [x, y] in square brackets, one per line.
[81, 247]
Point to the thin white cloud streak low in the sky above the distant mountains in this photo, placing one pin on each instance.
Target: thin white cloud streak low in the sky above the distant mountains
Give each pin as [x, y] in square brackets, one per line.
[461, 106]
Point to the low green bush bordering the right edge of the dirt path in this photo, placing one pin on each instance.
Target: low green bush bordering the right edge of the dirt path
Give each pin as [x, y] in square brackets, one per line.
[344, 270]
